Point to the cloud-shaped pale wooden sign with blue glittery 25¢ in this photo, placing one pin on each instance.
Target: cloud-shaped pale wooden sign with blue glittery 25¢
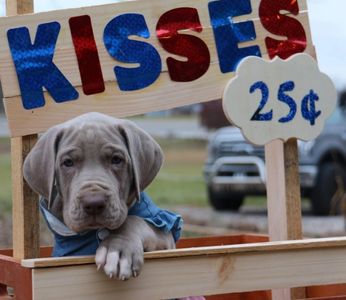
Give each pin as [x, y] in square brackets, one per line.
[279, 99]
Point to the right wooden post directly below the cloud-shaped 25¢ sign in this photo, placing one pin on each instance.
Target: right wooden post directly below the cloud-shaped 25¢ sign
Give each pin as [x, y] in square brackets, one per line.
[283, 196]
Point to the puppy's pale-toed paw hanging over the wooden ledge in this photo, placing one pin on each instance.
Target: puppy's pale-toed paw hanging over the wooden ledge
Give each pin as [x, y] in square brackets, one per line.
[120, 256]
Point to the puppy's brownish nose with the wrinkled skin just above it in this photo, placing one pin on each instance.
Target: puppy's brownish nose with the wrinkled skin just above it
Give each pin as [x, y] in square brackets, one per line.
[93, 199]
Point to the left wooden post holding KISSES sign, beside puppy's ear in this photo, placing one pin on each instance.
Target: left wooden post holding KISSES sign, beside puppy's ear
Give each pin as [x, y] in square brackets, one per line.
[25, 212]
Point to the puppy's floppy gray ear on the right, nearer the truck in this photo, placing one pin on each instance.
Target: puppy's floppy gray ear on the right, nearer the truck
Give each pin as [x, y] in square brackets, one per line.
[146, 155]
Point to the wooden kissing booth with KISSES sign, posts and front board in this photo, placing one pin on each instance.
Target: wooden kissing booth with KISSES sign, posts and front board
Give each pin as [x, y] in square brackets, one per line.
[187, 51]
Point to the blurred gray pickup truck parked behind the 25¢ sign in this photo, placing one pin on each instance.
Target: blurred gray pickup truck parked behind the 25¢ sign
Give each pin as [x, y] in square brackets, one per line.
[236, 168]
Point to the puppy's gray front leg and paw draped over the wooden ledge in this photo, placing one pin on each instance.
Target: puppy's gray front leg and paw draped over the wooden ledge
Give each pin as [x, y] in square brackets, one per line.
[121, 253]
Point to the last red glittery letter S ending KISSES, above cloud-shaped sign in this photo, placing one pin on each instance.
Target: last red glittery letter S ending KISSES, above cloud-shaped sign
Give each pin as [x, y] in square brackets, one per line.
[280, 24]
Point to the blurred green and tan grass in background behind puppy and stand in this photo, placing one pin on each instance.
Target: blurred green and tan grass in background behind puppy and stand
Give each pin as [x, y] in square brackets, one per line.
[180, 181]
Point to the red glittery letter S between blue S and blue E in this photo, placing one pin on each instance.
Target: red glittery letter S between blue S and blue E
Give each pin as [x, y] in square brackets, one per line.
[196, 51]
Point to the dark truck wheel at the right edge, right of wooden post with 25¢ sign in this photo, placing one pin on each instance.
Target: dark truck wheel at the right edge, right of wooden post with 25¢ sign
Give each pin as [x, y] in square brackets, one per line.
[328, 192]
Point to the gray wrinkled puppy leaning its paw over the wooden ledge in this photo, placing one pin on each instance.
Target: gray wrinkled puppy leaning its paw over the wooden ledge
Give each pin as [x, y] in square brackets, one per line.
[91, 170]
